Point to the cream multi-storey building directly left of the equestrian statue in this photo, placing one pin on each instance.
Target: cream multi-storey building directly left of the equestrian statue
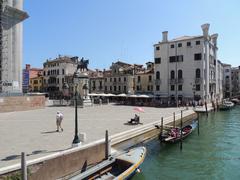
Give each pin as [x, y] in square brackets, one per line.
[56, 73]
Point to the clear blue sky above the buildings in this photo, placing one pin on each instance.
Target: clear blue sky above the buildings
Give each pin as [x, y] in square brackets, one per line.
[109, 30]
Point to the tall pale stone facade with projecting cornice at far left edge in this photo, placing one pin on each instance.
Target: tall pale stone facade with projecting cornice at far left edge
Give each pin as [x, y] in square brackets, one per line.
[11, 32]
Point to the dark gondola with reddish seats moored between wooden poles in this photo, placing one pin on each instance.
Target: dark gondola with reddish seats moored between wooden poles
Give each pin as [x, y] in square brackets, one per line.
[174, 134]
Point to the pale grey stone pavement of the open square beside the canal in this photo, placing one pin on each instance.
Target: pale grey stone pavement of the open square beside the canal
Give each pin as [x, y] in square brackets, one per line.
[34, 132]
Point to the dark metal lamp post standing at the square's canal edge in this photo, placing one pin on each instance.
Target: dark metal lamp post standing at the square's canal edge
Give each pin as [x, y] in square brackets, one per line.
[76, 138]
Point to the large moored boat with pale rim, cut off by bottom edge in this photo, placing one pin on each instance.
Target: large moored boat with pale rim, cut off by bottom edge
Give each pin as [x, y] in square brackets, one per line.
[122, 166]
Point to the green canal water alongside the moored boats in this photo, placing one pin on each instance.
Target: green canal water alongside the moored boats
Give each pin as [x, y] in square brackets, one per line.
[214, 154]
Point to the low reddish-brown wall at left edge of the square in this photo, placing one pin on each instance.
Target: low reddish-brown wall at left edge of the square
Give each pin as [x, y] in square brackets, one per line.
[21, 103]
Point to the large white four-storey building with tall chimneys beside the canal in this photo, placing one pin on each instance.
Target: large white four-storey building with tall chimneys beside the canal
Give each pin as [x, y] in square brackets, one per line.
[186, 67]
